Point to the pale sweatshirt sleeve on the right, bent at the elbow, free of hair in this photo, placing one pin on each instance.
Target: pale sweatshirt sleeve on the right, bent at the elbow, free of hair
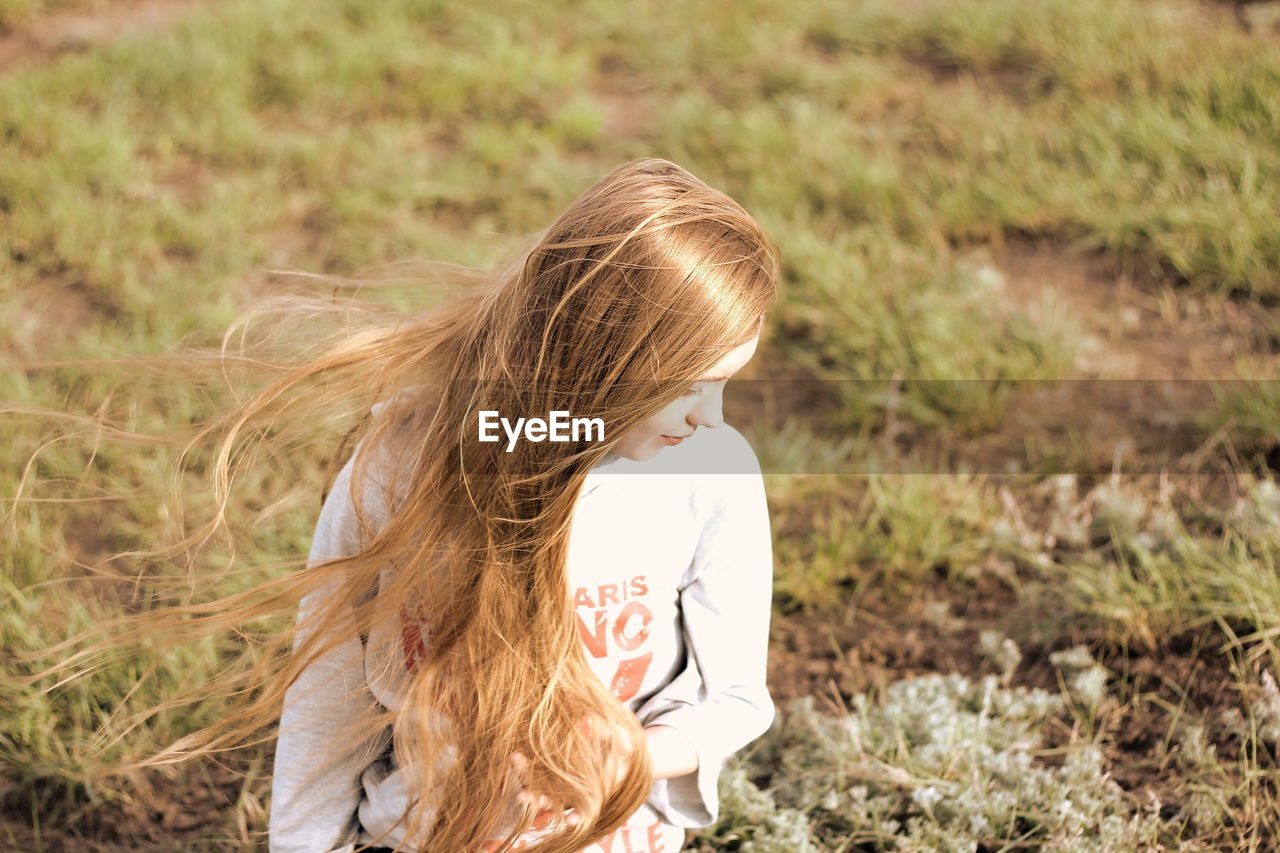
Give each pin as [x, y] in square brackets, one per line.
[720, 700]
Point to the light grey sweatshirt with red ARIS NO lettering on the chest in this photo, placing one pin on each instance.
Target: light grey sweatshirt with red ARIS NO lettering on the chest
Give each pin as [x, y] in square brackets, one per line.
[671, 573]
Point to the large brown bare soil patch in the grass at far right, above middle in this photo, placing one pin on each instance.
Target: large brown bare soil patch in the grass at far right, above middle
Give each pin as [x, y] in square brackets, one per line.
[1142, 393]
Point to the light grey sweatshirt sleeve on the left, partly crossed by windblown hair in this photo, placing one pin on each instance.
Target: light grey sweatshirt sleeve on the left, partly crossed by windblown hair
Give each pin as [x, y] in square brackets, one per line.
[316, 787]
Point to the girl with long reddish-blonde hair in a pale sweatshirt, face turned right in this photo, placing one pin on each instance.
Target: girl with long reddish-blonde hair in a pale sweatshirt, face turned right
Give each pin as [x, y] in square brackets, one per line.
[542, 645]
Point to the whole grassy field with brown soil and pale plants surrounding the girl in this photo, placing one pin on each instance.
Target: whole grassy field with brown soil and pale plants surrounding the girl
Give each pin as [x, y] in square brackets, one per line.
[1018, 407]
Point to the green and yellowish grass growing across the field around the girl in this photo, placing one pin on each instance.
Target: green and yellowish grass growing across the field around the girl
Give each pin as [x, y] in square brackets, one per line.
[890, 150]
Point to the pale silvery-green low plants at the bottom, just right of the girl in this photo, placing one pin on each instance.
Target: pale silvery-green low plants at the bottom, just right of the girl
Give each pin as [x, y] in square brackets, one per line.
[939, 763]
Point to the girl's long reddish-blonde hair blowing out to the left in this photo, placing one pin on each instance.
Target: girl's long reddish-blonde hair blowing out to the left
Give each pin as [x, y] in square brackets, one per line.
[637, 290]
